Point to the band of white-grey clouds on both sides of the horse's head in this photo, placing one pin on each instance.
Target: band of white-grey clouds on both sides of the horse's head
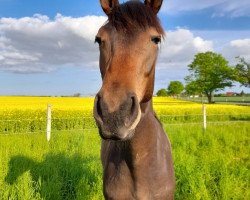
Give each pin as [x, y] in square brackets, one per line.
[38, 44]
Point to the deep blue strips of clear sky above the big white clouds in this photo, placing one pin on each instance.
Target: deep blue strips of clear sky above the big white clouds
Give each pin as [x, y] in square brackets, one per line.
[193, 18]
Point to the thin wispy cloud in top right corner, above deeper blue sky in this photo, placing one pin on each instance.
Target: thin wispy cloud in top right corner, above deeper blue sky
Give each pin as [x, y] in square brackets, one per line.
[230, 8]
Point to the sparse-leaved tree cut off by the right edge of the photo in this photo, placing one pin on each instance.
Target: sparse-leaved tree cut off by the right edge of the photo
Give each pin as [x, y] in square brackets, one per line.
[242, 72]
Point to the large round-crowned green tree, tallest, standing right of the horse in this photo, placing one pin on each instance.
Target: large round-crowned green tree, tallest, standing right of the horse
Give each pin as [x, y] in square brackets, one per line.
[210, 72]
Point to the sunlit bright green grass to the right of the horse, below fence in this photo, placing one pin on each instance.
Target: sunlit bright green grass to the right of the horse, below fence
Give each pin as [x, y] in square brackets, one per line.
[212, 164]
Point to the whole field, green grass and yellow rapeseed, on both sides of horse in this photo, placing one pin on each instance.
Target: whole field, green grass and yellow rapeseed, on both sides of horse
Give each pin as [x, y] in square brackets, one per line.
[208, 165]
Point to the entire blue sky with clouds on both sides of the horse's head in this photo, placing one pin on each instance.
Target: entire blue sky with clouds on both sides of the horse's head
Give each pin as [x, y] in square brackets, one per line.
[46, 47]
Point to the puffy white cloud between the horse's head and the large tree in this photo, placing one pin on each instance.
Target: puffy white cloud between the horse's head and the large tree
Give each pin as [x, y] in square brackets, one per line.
[177, 52]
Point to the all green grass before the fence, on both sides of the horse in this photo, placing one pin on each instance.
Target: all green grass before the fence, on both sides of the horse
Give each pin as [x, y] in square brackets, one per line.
[208, 165]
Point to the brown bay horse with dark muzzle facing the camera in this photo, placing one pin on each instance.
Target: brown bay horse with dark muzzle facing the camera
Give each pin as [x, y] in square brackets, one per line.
[135, 151]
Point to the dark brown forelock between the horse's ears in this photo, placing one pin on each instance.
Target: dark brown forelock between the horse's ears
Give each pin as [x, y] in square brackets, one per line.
[134, 16]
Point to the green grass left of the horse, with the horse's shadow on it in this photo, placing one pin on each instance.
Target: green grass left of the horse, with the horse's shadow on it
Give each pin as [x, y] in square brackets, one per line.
[67, 168]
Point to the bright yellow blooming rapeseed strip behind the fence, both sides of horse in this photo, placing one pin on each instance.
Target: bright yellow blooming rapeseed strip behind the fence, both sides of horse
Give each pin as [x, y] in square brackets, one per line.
[162, 105]
